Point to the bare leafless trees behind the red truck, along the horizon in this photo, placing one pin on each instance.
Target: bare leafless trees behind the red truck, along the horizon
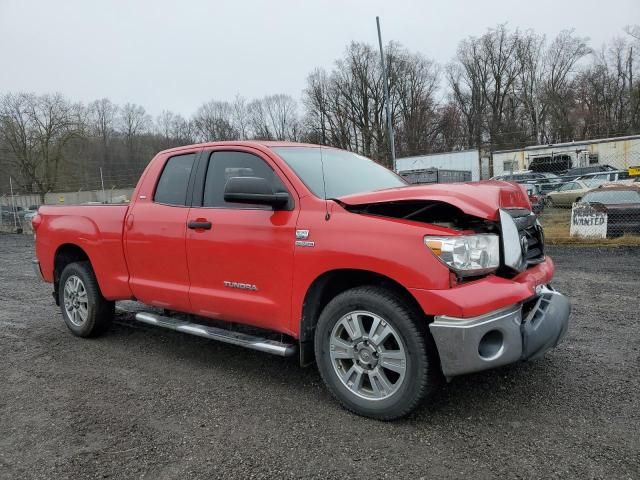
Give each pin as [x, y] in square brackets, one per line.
[504, 89]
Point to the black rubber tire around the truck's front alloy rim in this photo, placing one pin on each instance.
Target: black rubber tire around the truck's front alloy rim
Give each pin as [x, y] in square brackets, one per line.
[422, 369]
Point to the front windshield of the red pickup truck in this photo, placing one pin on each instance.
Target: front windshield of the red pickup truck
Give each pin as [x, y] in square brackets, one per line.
[344, 172]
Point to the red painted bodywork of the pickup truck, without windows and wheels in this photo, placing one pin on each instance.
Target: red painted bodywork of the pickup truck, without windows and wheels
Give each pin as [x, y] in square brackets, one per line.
[145, 251]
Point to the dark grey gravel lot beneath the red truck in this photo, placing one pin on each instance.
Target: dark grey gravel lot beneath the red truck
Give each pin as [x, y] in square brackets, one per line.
[149, 403]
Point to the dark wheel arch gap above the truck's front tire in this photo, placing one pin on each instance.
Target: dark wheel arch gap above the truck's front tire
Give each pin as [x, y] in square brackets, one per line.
[327, 286]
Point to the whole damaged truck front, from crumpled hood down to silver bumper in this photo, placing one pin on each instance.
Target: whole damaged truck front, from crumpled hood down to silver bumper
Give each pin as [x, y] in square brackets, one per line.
[501, 308]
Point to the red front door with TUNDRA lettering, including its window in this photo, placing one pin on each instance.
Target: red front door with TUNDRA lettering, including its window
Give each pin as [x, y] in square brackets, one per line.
[241, 264]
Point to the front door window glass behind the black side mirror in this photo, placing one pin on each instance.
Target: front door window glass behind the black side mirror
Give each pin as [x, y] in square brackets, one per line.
[224, 165]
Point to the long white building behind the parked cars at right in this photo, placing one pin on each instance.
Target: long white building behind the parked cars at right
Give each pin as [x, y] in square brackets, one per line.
[621, 153]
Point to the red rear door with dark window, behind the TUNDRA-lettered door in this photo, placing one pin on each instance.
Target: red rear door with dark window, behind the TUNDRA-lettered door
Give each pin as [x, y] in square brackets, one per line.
[155, 230]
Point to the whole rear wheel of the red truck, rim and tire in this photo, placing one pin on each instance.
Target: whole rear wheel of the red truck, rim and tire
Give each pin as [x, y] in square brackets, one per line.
[85, 311]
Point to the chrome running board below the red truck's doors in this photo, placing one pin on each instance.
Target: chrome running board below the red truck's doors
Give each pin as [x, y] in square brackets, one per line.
[235, 338]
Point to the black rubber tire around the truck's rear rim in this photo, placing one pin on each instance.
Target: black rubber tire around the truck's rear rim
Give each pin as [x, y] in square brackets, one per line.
[99, 311]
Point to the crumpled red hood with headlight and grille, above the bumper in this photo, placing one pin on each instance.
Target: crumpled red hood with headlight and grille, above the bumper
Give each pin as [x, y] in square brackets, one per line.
[483, 235]
